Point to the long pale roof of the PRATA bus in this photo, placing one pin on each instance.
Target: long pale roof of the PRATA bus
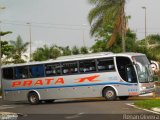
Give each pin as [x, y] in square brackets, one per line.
[76, 57]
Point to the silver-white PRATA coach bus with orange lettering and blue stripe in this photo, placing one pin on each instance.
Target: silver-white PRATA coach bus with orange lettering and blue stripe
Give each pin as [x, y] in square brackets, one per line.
[105, 75]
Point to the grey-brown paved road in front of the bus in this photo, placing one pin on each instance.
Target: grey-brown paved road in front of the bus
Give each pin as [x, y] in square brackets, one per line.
[72, 109]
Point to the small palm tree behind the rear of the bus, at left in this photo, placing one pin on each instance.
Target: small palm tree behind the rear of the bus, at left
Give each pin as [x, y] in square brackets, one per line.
[19, 48]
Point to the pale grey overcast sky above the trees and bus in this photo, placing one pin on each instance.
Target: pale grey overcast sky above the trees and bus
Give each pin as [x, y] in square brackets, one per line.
[64, 22]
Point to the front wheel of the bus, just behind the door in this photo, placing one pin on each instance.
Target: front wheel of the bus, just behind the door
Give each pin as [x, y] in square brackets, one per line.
[109, 94]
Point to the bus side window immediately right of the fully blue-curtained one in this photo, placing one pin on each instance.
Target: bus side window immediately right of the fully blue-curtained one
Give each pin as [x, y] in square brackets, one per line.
[52, 69]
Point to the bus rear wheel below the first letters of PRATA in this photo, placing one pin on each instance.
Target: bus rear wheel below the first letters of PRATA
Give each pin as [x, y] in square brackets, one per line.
[33, 98]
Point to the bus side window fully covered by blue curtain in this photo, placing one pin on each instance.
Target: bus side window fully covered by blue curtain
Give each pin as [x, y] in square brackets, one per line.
[36, 71]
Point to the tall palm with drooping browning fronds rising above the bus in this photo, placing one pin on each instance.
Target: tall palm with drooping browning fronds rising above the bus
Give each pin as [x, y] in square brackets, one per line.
[108, 12]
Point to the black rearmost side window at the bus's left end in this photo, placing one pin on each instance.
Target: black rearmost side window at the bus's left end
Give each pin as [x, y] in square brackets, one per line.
[8, 73]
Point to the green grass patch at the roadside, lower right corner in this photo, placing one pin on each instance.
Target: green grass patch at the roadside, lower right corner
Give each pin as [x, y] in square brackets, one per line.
[148, 103]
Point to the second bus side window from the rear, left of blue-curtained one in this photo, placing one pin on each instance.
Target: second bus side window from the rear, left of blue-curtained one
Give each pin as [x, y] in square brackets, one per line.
[21, 72]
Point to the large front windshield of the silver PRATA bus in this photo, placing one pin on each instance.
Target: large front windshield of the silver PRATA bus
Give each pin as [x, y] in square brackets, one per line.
[143, 69]
